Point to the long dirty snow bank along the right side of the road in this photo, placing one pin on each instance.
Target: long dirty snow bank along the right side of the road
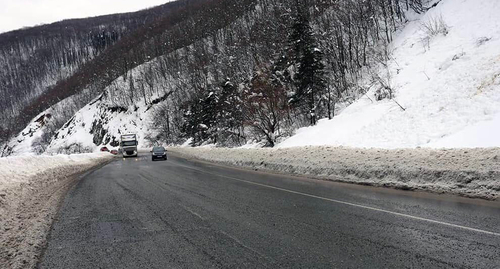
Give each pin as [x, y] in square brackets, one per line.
[470, 172]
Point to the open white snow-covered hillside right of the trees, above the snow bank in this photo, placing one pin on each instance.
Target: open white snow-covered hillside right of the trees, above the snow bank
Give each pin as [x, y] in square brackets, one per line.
[448, 83]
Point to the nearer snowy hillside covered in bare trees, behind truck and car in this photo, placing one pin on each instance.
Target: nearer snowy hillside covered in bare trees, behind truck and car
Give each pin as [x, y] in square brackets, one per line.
[215, 72]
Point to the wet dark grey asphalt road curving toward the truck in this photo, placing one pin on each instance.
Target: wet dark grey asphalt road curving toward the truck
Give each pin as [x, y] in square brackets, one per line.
[135, 213]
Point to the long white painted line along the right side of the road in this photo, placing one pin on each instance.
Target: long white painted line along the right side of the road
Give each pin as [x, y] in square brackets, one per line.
[356, 205]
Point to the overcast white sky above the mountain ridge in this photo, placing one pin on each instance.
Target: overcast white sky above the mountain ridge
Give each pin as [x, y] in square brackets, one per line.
[15, 14]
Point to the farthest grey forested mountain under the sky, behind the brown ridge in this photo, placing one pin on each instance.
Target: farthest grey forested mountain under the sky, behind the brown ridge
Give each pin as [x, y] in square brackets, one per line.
[33, 60]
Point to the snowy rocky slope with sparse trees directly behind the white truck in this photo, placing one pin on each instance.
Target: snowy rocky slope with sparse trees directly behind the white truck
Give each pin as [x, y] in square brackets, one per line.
[99, 123]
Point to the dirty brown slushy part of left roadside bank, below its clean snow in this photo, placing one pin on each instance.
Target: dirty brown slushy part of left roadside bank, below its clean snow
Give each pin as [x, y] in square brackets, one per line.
[26, 223]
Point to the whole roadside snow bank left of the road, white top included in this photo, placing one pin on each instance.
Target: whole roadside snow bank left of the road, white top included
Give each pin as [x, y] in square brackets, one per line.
[30, 190]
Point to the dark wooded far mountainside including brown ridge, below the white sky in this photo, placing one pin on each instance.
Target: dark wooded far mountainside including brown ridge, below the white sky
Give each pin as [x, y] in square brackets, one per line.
[133, 38]
